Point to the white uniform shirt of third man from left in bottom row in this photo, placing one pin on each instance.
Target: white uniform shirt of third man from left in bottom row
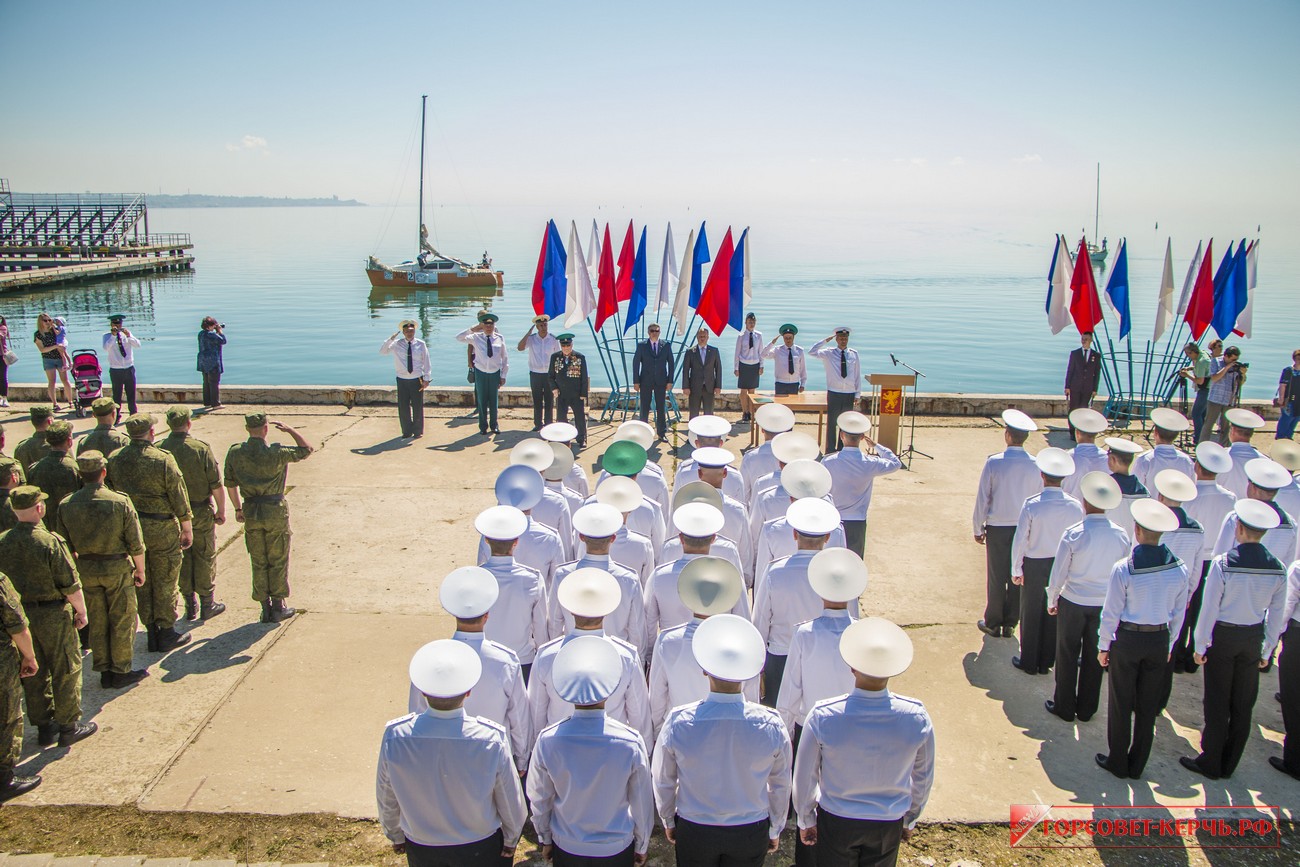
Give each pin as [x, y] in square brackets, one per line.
[723, 762]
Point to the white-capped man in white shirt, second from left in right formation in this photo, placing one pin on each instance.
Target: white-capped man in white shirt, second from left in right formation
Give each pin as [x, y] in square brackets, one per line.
[1043, 523]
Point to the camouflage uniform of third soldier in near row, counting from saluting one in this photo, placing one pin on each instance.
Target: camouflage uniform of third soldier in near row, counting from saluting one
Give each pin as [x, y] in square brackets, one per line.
[154, 483]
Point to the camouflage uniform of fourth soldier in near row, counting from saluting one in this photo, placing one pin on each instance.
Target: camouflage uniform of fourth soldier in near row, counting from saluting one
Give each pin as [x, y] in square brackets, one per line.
[102, 528]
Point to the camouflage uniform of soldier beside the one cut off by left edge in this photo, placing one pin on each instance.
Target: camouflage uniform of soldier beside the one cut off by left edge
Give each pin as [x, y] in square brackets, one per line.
[42, 571]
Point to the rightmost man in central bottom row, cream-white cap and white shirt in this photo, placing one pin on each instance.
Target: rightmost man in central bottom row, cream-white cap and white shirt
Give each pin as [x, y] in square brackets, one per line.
[866, 761]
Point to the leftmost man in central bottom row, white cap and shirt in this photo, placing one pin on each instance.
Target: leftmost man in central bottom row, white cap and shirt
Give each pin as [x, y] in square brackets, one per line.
[474, 823]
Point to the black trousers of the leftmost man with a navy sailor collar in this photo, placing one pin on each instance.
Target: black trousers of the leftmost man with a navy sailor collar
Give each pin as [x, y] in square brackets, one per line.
[1139, 667]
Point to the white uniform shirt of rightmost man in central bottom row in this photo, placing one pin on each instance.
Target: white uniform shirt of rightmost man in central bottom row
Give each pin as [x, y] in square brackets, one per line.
[865, 756]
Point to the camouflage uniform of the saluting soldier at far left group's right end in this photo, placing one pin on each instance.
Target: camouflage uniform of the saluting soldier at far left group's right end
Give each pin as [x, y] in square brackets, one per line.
[258, 470]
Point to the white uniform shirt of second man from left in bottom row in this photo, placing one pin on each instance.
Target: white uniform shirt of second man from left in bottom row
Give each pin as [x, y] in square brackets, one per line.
[590, 784]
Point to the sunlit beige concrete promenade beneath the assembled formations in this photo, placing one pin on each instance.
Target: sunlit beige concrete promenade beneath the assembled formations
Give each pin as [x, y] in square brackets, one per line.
[279, 721]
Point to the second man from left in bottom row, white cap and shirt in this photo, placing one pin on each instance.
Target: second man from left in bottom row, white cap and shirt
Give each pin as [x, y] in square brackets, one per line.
[590, 781]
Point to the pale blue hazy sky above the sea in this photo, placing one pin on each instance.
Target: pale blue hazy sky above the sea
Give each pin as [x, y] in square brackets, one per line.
[925, 110]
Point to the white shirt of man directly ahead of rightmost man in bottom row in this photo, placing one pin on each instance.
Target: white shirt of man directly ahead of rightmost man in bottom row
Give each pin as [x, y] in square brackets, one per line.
[814, 670]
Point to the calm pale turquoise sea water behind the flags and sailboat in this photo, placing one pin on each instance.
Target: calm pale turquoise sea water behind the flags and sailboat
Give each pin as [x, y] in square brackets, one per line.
[961, 304]
